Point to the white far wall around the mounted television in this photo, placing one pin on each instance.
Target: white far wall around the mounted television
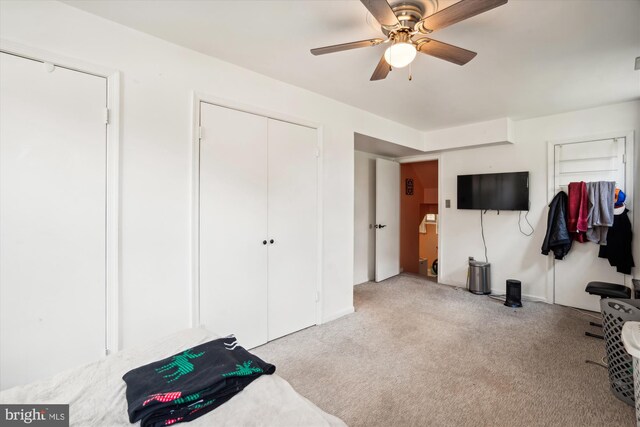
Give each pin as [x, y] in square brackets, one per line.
[512, 254]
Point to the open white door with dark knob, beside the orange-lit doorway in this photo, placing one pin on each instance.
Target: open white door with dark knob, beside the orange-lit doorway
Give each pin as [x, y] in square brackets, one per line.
[387, 219]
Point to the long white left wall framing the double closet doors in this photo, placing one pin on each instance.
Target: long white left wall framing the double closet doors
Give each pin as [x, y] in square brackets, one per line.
[157, 81]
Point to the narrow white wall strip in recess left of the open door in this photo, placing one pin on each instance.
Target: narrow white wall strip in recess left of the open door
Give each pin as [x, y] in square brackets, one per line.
[365, 215]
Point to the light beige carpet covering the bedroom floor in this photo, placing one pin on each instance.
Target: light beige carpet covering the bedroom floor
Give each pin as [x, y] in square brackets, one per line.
[417, 353]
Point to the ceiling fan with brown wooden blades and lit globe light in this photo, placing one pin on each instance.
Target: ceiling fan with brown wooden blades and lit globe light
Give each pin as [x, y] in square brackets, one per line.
[404, 21]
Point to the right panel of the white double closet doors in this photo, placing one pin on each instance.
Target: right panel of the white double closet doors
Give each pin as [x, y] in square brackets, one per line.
[293, 223]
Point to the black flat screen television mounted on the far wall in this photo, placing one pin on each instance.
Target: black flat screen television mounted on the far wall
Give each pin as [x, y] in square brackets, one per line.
[495, 191]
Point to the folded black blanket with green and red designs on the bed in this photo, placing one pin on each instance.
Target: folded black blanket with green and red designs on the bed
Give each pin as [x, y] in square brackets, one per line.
[187, 385]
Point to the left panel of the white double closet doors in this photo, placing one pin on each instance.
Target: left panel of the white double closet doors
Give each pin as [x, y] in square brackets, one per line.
[233, 224]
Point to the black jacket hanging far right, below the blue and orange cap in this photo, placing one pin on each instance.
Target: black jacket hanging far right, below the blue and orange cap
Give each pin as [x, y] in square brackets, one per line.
[618, 248]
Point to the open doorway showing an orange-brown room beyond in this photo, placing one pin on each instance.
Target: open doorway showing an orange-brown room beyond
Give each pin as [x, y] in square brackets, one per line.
[419, 218]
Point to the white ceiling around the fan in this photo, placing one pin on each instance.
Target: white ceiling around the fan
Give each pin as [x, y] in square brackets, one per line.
[535, 57]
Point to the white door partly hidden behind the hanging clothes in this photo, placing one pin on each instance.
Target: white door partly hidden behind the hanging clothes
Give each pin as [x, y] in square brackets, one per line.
[586, 161]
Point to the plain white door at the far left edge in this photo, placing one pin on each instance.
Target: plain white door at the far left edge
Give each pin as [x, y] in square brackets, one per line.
[52, 219]
